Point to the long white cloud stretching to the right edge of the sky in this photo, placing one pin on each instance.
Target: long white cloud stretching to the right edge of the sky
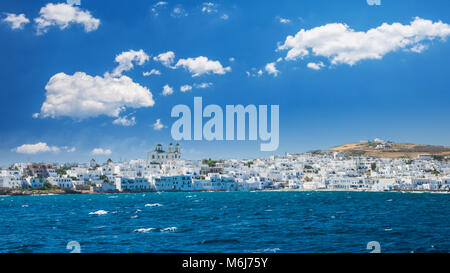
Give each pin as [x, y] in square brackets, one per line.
[342, 45]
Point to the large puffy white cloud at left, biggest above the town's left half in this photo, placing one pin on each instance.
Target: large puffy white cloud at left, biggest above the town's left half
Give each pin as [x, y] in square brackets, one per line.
[80, 96]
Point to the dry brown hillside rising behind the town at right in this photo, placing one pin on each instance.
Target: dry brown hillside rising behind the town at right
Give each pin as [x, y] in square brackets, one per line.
[391, 150]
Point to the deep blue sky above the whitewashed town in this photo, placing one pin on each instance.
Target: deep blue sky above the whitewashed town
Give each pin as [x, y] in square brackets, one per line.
[402, 95]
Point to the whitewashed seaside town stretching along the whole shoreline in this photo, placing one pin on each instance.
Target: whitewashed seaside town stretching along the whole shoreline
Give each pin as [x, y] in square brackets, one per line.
[165, 170]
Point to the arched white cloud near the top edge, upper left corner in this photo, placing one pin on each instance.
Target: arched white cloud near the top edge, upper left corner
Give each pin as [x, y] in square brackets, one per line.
[62, 15]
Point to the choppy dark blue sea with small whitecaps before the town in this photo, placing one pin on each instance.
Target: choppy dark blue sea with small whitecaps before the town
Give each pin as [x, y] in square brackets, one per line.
[226, 222]
